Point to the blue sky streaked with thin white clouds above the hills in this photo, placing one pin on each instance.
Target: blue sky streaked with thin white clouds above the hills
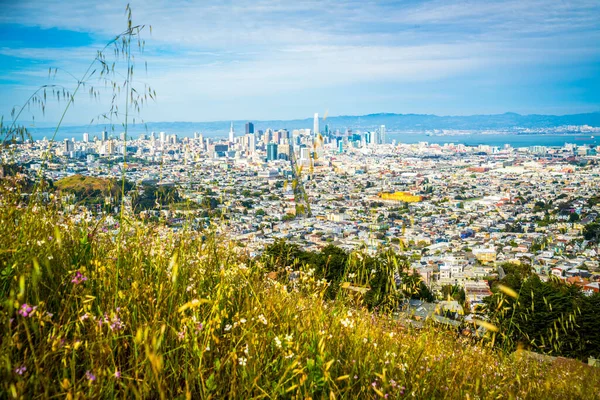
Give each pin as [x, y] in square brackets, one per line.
[268, 59]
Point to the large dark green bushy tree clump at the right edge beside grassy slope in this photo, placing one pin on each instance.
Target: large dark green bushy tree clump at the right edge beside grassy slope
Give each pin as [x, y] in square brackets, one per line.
[551, 317]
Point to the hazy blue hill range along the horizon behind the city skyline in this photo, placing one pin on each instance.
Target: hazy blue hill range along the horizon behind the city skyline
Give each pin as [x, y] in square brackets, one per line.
[393, 122]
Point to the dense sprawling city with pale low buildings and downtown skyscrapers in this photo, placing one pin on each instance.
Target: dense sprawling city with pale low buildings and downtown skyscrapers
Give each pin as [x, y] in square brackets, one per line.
[457, 212]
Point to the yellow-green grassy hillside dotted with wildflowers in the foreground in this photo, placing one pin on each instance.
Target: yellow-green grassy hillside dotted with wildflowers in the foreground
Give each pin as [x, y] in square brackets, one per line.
[91, 311]
